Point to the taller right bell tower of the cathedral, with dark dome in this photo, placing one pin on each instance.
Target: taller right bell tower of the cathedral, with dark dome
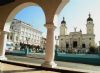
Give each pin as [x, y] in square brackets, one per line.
[90, 25]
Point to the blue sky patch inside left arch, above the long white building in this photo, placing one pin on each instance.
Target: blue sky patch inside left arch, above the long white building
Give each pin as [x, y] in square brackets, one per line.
[33, 15]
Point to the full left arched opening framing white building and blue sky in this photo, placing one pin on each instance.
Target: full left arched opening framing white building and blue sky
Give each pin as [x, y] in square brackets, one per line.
[26, 33]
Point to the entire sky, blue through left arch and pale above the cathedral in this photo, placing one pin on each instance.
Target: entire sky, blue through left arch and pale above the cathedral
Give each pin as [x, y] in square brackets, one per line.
[75, 13]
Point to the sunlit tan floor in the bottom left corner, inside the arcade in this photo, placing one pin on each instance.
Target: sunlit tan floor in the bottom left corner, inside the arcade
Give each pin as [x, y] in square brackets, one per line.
[6, 68]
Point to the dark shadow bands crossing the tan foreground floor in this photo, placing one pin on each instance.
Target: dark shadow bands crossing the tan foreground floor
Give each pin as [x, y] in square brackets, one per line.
[35, 68]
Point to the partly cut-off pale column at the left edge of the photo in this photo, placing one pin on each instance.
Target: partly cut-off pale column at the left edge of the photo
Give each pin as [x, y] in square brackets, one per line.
[3, 40]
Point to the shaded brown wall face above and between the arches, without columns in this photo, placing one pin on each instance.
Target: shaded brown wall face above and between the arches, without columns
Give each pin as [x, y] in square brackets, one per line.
[49, 10]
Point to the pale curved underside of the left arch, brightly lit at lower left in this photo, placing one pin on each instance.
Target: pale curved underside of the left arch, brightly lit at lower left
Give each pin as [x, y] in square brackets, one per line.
[14, 12]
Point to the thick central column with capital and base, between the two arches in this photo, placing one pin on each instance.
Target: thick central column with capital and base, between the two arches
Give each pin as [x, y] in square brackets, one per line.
[50, 48]
